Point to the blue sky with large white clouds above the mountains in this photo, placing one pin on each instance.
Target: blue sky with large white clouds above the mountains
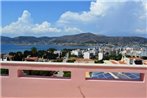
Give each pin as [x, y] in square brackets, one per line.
[58, 18]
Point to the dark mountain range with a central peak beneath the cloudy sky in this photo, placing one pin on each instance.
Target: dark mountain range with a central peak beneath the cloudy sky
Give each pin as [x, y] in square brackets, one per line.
[78, 39]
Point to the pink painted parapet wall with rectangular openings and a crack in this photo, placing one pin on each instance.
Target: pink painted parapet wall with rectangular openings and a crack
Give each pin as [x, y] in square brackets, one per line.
[77, 87]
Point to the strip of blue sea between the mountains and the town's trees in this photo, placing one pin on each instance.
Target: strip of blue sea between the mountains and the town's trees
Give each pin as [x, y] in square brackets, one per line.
[6, 48]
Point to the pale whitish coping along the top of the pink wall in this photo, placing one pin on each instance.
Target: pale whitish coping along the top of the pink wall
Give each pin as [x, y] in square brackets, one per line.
[73, 64]
